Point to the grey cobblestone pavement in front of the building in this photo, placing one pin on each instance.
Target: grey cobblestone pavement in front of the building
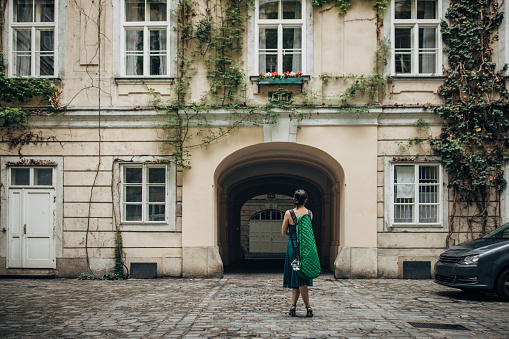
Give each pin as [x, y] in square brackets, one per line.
[243, 305]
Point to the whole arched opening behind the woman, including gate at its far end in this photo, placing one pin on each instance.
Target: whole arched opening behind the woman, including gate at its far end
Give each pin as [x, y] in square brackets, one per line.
[264, 180]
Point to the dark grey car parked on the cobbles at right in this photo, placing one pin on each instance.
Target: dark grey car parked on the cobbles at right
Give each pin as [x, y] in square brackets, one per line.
[478, 265]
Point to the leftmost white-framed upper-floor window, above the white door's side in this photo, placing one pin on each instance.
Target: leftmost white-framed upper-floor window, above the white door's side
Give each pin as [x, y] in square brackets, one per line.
[33, 41]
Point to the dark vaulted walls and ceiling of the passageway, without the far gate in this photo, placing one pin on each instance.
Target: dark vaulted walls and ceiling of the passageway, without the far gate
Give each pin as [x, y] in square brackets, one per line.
[278, 169]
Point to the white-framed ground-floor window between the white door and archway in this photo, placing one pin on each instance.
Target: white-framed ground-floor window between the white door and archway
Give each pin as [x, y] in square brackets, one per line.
[144, 193]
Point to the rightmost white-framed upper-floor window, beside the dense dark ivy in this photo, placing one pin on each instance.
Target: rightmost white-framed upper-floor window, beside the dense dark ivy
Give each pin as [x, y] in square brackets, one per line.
[416, 42]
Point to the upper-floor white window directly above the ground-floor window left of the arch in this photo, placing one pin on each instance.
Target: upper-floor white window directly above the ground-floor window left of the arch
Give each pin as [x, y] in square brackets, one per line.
[146, 33]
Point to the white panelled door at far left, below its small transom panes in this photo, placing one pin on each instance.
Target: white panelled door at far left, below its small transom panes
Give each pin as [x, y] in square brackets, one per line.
[31, 228]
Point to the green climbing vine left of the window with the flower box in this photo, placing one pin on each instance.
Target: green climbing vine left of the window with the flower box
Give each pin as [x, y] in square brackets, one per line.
[214, 35]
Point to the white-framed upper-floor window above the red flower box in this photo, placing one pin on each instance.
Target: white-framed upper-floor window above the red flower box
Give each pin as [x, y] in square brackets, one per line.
[280, 32]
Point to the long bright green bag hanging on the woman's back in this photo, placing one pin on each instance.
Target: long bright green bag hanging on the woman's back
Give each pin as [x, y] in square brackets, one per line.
[307, 253]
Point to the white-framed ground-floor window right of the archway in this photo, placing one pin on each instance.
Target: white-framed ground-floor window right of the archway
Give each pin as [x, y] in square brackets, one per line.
[416, 194]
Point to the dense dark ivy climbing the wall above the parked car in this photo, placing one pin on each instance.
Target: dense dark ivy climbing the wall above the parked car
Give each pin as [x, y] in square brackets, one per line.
[474, 138]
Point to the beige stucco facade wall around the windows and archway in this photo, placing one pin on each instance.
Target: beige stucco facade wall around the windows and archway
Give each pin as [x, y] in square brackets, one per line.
[341, 45]
